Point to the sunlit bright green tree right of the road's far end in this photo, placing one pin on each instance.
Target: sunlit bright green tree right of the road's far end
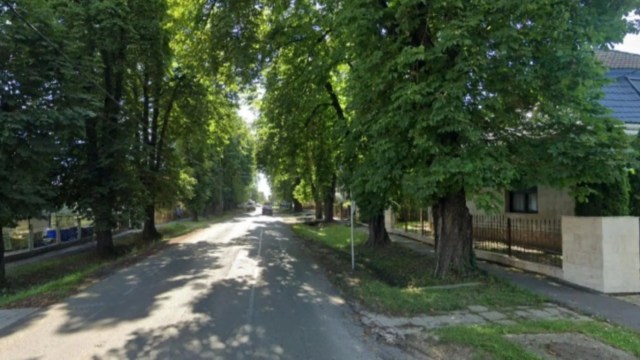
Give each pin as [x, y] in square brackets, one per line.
[302, 110]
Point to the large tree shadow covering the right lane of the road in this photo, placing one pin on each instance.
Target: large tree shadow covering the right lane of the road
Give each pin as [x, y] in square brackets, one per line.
[272, 304]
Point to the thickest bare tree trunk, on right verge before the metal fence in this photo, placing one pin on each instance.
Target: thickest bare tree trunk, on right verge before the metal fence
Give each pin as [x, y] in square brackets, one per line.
[453, 233]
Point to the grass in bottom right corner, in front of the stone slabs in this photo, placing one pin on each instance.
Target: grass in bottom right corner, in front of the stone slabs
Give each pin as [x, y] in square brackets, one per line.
[493, 340]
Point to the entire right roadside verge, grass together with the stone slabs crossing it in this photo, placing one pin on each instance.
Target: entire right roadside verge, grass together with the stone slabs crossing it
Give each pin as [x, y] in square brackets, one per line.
[397, 282]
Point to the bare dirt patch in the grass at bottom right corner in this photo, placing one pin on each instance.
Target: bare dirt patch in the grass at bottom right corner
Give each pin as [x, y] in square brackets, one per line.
[569, 346]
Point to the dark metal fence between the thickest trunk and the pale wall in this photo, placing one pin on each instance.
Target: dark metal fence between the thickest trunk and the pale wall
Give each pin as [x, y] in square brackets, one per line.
[535, 240]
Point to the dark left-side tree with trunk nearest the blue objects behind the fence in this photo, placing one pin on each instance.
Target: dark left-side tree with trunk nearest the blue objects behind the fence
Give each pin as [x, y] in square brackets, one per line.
[106, 172]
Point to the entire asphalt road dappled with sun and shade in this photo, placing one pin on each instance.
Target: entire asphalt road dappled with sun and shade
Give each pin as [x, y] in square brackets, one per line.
[242, 289]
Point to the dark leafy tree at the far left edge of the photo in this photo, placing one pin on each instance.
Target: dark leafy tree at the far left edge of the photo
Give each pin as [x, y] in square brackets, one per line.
[40, 96]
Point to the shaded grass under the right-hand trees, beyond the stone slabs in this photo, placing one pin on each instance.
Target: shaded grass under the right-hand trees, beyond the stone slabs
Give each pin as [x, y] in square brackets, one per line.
[398, 281]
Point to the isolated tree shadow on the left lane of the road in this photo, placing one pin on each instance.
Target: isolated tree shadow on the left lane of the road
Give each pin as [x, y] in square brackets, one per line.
[135, 292]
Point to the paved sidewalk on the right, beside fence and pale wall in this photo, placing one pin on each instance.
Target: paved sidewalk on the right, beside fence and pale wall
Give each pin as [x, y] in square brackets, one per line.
[578, 299]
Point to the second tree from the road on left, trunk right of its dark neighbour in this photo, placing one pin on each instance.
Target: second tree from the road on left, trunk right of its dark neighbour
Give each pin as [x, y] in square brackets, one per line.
[154, 85]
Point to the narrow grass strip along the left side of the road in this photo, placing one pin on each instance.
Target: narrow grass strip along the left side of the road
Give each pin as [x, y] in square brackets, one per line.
[51, 280]
